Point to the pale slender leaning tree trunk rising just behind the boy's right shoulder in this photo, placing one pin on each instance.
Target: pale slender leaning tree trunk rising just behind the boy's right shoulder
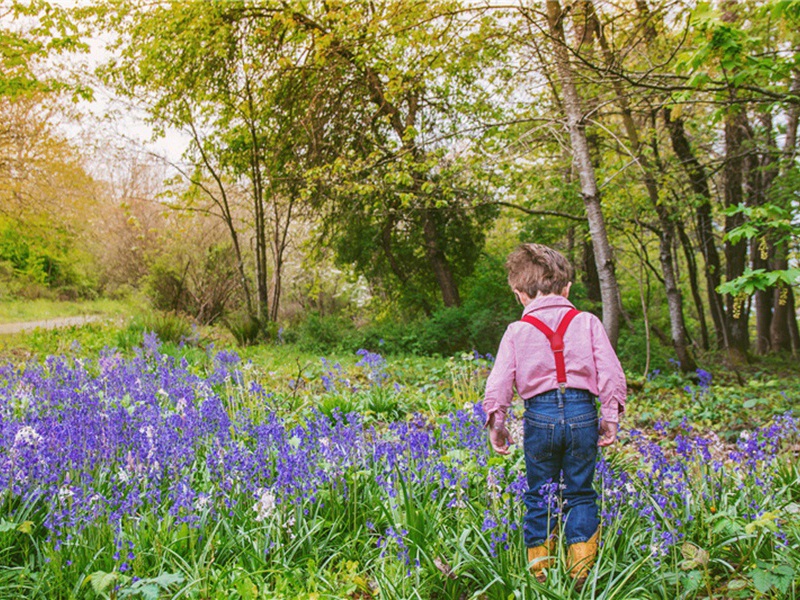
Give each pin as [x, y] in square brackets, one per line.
[609, 288]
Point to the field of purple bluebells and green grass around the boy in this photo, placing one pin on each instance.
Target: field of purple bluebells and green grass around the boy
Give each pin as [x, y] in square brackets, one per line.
[150, 476]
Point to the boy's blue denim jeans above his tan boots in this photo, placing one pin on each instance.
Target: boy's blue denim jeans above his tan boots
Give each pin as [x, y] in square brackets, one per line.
[560, 437]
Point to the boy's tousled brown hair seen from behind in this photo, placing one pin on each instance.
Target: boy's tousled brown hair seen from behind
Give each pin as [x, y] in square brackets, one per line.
[533, 268]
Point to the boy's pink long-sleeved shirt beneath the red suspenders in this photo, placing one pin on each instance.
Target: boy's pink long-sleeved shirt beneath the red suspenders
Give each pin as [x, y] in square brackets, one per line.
[526, 362]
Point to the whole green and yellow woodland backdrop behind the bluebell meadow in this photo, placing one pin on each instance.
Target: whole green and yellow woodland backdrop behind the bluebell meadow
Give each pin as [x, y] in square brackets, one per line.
[365, 166]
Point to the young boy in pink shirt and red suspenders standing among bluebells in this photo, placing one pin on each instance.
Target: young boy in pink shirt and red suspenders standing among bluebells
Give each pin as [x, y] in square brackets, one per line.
[560, 360]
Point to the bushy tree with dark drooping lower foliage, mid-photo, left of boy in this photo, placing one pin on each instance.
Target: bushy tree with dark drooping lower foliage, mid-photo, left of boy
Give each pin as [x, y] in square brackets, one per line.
[398, 188]
